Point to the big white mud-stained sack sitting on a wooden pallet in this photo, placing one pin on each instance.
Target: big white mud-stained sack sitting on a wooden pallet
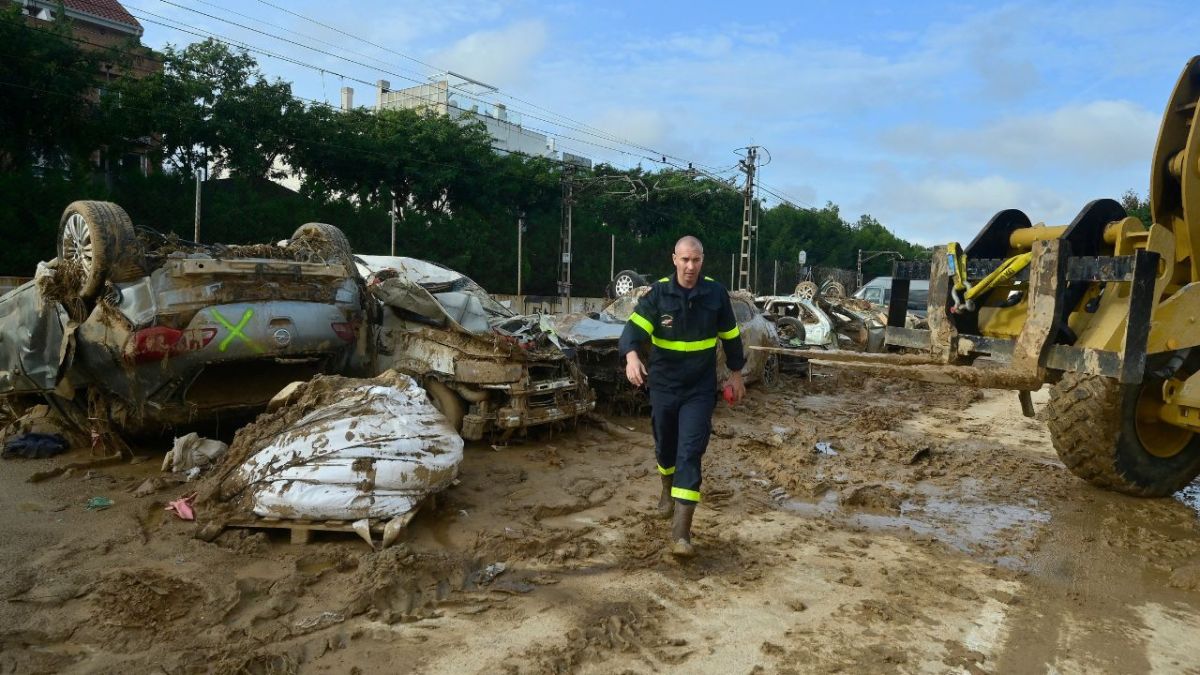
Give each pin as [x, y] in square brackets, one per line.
[344, 450]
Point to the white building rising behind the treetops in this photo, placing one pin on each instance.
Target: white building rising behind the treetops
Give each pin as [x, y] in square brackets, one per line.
[463, 98]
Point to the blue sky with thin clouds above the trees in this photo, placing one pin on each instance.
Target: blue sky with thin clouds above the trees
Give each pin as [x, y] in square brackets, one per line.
[931, 117]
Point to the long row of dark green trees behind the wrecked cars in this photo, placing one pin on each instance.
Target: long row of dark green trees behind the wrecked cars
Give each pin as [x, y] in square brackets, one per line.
[458, 201]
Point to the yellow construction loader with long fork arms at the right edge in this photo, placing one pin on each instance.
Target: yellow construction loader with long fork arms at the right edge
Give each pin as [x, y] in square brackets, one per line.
[1105, 309]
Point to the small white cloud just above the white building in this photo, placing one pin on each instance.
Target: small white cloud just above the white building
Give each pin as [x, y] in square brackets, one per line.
[496, 57]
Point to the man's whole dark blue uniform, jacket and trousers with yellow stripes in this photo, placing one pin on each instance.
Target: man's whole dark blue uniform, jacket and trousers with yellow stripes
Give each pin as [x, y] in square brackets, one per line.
[683, 327]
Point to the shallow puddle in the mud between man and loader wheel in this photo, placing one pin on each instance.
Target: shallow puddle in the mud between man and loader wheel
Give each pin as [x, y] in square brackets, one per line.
[970, 527]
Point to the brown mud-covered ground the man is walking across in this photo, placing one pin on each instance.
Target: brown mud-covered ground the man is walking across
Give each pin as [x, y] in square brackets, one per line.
[849, 525]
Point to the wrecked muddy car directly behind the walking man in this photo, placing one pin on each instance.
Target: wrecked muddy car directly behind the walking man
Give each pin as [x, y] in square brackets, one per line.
[595, 338]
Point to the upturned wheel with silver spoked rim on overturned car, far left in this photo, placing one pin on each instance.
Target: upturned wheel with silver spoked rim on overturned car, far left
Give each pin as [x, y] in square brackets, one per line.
[99, 237]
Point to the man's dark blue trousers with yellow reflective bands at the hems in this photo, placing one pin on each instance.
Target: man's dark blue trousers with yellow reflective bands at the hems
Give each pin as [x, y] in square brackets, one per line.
[682, 426]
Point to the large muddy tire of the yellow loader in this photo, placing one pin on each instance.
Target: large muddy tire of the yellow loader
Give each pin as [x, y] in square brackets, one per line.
[1096, 429]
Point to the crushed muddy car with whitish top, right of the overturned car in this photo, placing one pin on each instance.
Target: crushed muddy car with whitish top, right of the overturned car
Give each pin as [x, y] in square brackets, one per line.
[489, 371]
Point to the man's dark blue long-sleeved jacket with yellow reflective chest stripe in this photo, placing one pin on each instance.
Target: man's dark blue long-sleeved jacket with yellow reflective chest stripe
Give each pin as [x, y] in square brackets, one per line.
[683, 328]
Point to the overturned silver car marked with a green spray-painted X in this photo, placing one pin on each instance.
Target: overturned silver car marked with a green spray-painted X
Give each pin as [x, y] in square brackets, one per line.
[134, 332]
